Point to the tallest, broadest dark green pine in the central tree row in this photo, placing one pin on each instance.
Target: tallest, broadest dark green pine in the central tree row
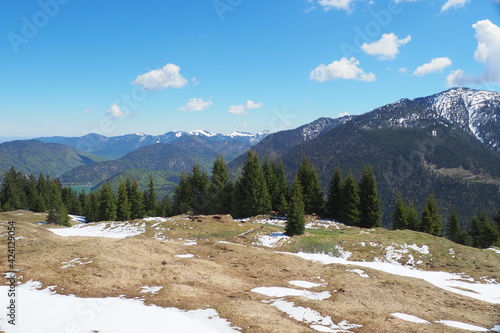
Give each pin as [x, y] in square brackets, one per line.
[251, 196]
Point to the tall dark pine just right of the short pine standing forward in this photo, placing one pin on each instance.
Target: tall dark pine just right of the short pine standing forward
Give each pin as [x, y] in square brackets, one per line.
[311, 188]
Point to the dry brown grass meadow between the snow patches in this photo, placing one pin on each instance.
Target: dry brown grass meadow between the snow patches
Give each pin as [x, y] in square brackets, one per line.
[222, 275]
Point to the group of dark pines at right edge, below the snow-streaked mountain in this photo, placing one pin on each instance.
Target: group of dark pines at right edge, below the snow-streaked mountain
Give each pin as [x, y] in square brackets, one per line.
[483, 232]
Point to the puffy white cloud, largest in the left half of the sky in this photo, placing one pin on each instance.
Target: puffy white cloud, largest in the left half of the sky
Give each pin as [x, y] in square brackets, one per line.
[168, 76]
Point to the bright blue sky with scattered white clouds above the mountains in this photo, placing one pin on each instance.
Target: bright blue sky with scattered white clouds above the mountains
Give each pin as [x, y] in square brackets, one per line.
[70, 67]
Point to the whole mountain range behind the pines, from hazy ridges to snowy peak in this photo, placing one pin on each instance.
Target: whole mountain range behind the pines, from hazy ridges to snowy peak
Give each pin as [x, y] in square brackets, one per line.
[447, 144]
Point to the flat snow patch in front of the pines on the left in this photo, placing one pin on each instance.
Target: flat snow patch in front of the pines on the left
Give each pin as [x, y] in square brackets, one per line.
[102, 229]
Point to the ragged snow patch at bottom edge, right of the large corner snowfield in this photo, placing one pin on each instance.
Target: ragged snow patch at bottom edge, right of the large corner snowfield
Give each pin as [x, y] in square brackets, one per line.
[310, 316]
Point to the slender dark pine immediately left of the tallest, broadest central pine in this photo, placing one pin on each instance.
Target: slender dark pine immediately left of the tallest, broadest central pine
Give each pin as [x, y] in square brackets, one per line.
[221, 188]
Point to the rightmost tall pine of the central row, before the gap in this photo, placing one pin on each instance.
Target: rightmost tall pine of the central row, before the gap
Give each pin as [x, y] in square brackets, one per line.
[370, 212]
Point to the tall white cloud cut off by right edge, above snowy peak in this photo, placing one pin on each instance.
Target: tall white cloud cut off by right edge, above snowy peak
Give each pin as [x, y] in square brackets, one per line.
[487, 52]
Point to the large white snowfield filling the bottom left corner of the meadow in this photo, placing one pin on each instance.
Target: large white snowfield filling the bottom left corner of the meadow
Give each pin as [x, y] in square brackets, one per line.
[110, 315]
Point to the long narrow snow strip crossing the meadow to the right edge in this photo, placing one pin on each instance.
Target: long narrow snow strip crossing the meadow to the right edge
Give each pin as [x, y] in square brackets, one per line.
[451, 282]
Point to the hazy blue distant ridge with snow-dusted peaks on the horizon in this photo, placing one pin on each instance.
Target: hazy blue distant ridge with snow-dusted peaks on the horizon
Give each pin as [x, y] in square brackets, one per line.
[118, 146]
